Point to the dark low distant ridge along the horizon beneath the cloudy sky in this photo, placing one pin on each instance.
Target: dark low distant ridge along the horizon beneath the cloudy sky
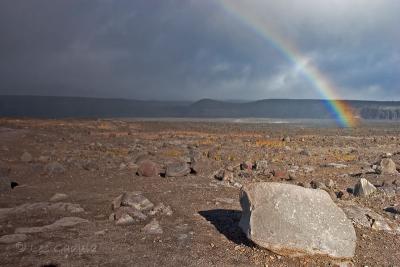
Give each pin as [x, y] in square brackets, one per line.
[79, 107]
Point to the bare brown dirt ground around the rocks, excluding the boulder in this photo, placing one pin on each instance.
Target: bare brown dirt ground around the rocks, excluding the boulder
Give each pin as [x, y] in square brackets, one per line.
[99, 161]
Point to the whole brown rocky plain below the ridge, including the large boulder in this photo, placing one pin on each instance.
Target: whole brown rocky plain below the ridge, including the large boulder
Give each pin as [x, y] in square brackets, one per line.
[136, 193]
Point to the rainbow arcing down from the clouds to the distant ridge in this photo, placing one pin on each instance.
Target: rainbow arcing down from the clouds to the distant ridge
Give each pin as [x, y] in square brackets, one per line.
[343, 113]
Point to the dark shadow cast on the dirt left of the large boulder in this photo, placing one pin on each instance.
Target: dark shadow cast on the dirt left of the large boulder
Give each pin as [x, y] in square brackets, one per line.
[227, 223]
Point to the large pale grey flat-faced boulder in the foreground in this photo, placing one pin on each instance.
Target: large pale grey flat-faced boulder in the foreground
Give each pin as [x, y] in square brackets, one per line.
[294, 221]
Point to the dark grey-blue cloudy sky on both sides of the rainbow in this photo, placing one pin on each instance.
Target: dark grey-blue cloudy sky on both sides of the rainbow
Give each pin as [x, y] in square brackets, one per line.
[192, 49]
